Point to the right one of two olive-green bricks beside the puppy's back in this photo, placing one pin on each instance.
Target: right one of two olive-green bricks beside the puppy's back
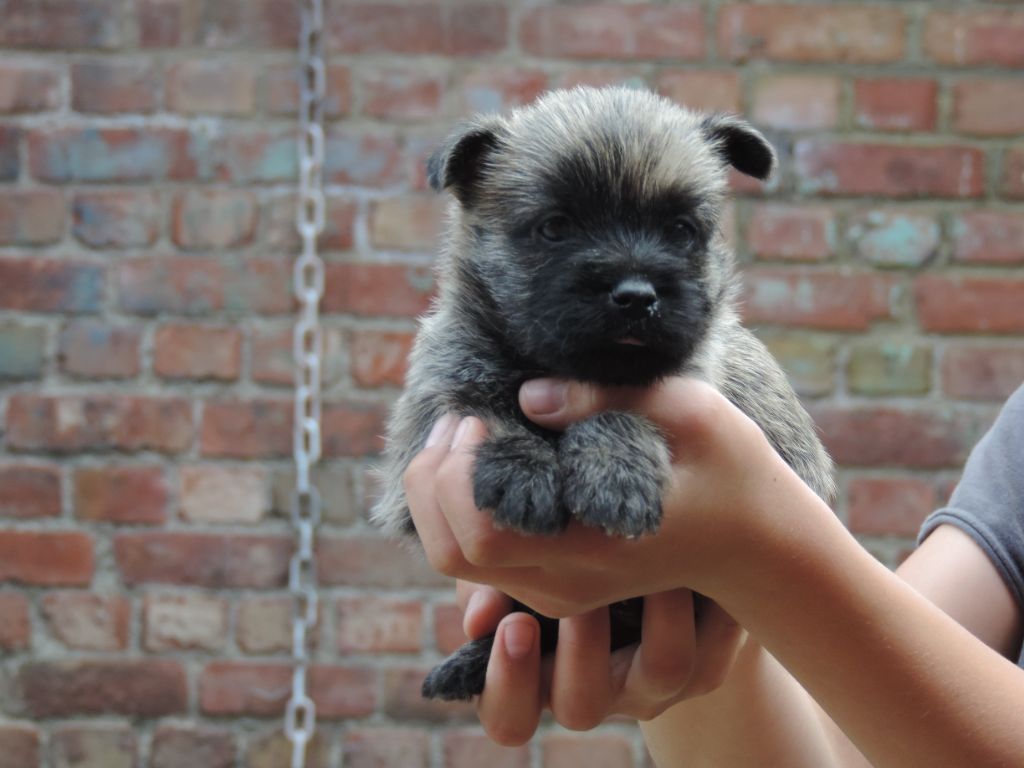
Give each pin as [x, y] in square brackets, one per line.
[889, 368]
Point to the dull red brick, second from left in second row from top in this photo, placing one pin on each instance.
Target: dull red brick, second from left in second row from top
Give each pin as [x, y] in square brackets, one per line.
[110, 88]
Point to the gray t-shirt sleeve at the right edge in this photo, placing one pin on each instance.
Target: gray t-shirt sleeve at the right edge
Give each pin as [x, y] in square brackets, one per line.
[989, 502]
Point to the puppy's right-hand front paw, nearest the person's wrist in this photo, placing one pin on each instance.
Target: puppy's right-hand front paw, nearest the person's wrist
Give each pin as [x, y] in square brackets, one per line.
[615, 468]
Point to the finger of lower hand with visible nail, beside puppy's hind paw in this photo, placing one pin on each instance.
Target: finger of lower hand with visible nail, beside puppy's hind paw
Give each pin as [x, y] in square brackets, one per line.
[510, 706]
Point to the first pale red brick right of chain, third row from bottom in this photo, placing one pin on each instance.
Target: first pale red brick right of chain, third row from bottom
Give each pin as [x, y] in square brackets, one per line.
[374, 625]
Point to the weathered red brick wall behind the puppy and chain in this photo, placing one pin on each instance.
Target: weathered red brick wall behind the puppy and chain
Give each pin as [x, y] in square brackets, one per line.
[146, 173]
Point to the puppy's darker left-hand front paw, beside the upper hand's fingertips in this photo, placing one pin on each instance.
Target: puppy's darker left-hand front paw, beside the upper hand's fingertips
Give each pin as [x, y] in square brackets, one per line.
[517, 478]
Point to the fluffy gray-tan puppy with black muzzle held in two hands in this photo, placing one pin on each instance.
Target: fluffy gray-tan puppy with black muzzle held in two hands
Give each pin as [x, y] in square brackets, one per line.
[584, 242]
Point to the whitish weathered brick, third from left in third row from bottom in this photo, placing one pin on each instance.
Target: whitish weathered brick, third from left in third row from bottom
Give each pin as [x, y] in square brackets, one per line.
[185, 622]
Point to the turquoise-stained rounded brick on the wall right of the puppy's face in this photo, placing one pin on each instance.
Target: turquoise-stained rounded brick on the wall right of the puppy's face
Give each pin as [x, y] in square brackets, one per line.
[893, 238]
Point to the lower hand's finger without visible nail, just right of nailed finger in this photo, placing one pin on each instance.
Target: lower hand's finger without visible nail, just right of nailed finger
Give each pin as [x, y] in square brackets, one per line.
[581, 688]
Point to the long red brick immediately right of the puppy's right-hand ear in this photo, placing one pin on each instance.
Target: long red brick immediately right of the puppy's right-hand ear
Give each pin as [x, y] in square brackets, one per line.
[829, 167]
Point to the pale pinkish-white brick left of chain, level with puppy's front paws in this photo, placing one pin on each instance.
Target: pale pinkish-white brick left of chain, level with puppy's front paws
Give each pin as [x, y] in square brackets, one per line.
[215, 494]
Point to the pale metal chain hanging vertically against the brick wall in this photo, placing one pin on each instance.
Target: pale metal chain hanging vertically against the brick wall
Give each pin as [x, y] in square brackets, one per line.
[308, 345]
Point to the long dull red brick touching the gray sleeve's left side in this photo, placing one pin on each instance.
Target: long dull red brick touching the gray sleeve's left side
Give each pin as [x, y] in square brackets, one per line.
[884, 437]
